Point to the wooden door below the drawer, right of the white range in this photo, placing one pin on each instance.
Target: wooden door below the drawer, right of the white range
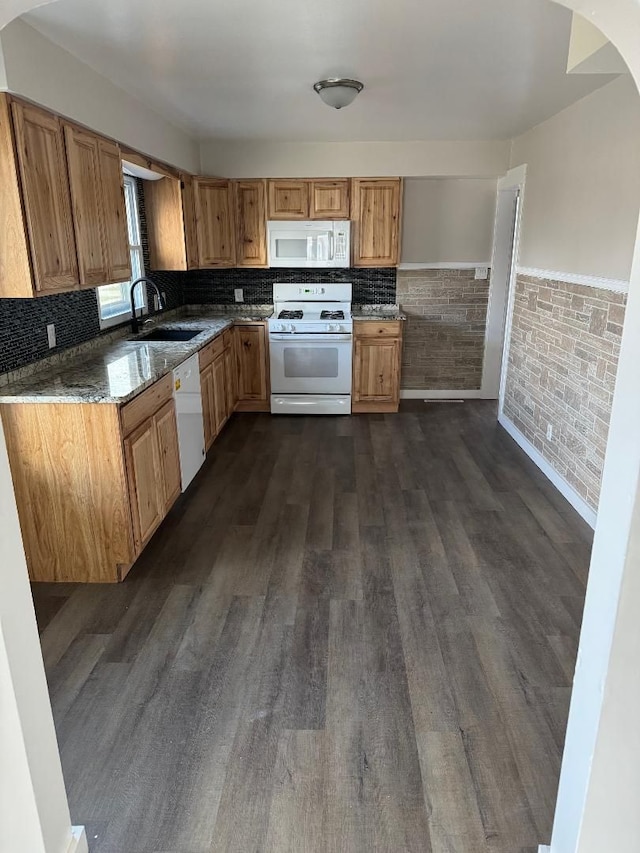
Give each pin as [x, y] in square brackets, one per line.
[376, 370]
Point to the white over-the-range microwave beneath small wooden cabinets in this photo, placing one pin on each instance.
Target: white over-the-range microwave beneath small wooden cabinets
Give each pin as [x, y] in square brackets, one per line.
[309, 243]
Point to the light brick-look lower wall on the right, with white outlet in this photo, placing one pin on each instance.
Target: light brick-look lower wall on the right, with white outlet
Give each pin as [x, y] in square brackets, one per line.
[563, 359]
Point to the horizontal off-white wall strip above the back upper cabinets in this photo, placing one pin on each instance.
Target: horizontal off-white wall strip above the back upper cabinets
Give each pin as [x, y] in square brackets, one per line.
[241, 159]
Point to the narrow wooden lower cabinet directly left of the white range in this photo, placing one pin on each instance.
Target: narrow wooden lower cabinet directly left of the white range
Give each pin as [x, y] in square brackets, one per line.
[252, 367]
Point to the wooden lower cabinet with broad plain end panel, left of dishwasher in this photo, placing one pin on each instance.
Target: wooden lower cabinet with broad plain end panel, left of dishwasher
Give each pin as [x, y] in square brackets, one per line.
[93, 481]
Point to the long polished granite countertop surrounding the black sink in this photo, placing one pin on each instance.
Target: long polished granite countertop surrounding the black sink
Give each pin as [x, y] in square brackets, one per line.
[117, 371]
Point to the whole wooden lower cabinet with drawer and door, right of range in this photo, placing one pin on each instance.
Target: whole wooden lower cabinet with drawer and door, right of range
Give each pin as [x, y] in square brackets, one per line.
[377, 358]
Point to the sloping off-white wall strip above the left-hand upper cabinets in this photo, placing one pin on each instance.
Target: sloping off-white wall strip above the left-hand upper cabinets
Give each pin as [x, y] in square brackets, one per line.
[40, 70]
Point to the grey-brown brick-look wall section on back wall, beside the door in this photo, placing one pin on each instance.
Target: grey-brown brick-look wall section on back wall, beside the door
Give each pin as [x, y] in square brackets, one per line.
[444, 334]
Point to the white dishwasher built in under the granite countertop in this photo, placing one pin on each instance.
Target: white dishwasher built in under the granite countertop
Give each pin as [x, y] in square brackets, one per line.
[188, 398]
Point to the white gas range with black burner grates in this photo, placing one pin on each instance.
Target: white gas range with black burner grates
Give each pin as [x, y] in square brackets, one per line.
[310, 343]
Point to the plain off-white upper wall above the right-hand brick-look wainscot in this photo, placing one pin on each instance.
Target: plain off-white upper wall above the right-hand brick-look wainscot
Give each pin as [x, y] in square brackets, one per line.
[583, 185]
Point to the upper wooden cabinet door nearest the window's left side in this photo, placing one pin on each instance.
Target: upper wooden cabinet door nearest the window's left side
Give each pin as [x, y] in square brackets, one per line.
[114, 212]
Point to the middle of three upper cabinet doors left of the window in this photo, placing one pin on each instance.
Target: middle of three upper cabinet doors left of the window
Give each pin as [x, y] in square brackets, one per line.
[83, 159]
